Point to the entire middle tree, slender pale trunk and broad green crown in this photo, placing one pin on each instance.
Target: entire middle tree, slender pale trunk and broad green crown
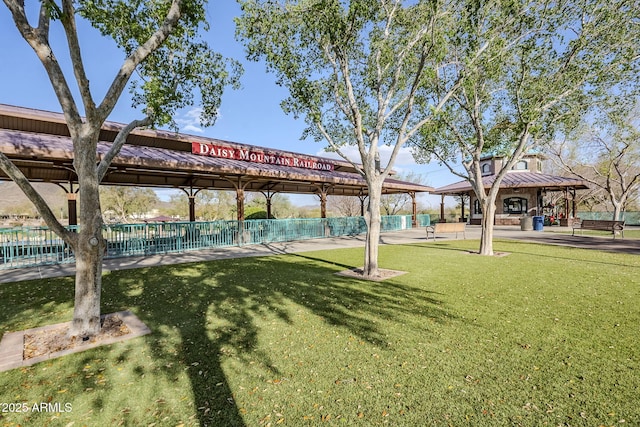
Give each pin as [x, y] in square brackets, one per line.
[356, 72]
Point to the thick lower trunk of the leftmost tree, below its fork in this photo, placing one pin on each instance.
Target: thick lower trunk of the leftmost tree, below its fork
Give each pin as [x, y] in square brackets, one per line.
[89, 250]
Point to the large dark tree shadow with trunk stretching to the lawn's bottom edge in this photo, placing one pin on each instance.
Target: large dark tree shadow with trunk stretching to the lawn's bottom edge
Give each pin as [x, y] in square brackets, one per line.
[213, 306]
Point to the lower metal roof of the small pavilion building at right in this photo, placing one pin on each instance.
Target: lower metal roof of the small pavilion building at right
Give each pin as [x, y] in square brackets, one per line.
[517, 179]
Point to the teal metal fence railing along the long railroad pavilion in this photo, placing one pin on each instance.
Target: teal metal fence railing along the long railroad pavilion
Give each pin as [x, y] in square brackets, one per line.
[33, 246]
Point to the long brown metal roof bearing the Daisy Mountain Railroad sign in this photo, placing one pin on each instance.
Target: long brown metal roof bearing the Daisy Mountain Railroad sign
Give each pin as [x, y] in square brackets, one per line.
[38, 142]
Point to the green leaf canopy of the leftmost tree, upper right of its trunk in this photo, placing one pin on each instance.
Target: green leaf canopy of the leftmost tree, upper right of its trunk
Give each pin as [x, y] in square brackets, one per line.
[178, 71]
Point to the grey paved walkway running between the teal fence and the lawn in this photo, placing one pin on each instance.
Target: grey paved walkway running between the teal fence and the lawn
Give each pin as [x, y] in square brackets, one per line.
[552, 235]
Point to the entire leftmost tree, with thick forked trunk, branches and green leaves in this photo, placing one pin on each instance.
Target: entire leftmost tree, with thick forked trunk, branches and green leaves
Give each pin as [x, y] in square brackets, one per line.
[160, 42]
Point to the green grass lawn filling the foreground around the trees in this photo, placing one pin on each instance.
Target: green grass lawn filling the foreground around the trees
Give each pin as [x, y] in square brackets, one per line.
[543, 336]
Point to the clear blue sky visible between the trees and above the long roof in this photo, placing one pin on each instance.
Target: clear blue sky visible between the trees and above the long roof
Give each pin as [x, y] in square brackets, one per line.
[249, 115]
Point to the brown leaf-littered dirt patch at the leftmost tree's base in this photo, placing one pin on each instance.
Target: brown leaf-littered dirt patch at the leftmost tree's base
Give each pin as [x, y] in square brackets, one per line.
[57, 339]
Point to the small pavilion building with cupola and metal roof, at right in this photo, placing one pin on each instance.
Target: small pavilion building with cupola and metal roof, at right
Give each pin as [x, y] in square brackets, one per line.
[522, 192]
